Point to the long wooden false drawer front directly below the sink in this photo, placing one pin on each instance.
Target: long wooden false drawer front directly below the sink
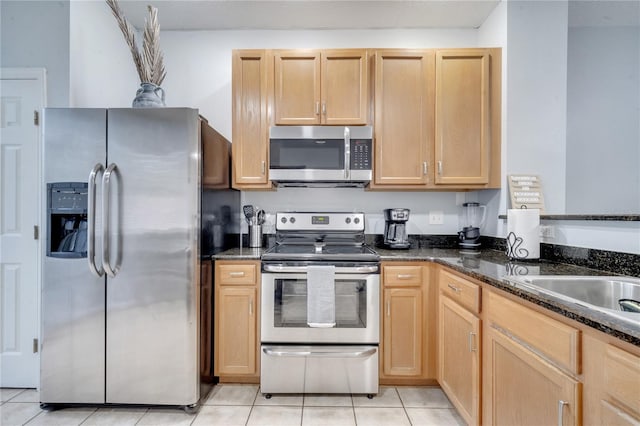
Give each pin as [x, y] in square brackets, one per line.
[553, 339]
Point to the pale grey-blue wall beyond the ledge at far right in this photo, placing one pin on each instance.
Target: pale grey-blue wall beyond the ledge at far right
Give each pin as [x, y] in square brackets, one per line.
[603, 123]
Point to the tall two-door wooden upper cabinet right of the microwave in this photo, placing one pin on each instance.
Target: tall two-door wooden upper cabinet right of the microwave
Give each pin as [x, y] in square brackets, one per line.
[437, 119]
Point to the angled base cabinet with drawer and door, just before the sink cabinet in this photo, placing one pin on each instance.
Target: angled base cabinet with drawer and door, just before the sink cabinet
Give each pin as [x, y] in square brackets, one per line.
[459, 343]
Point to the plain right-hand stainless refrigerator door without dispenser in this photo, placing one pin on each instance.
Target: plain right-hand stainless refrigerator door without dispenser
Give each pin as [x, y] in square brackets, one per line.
[153, 249]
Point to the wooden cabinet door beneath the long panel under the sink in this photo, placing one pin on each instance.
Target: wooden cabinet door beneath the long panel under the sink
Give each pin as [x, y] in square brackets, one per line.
[524, 389]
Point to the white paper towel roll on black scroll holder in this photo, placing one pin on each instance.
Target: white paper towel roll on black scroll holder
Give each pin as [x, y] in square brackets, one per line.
[523, 233]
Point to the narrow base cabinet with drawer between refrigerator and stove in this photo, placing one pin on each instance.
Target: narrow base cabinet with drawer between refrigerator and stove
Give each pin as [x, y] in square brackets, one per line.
[237, 292]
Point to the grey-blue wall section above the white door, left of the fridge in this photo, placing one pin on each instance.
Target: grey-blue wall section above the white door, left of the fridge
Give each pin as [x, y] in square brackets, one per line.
[36, 34]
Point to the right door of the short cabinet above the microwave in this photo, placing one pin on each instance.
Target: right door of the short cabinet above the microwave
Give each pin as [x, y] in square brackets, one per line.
[344, 87]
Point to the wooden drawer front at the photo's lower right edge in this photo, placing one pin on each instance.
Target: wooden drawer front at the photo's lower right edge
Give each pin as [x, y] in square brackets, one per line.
[622, 377]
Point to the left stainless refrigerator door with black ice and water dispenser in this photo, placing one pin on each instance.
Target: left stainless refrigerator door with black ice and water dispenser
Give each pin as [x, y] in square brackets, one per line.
[73, 298]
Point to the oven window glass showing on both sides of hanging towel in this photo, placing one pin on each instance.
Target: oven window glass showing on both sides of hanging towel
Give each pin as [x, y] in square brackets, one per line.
[290, 303]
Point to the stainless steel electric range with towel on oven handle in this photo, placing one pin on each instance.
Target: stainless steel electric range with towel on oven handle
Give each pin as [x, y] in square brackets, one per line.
[320, 307]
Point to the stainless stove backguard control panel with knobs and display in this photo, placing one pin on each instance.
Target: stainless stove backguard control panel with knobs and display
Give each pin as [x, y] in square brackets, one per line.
[307, 221]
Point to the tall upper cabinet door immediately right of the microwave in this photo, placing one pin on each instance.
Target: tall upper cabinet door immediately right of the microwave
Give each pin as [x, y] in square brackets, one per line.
[403, 117]
